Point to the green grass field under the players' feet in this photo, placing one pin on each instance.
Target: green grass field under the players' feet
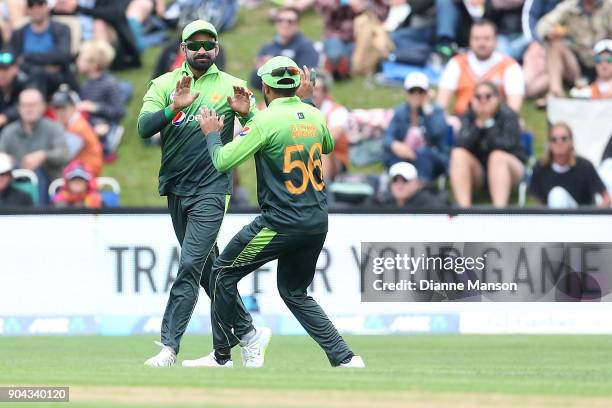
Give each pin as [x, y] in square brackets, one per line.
[403, 371]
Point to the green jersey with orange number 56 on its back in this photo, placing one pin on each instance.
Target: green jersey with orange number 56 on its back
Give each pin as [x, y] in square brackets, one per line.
[288, 139]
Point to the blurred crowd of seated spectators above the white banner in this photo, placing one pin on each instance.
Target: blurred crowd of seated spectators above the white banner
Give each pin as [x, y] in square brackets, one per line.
[61, 107]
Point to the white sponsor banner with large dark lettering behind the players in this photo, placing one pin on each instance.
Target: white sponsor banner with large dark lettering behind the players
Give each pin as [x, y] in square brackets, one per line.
[66, 266]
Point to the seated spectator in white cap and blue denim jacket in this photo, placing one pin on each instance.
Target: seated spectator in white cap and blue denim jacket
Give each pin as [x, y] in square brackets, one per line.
[417, 130]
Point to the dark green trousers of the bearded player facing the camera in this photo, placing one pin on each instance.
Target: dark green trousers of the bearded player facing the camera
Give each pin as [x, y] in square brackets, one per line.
[196, 221]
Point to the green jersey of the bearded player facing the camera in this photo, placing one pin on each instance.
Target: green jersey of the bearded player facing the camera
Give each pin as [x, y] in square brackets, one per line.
[186, 168]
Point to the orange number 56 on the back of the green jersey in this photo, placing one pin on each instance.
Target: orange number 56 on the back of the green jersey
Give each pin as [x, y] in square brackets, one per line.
[307, 170]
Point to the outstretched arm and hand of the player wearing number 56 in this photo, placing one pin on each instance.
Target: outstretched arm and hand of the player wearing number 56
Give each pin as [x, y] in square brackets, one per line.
[227, 157]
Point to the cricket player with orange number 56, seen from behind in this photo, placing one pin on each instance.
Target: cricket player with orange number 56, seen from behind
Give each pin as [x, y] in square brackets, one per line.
[288, 139]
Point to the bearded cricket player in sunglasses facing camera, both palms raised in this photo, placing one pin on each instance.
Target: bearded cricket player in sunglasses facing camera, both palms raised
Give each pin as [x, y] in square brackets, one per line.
[197, 193]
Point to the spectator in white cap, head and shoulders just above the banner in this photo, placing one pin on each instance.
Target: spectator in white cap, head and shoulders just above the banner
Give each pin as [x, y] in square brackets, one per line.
[407, 192]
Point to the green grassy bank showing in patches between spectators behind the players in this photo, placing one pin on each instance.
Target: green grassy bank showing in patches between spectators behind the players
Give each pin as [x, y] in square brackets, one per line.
[137, 166]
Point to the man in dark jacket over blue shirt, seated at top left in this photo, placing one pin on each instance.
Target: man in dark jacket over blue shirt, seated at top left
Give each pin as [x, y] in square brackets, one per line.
[42, 49]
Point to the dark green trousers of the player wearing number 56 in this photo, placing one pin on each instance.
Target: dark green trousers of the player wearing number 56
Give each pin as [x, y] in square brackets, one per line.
[297, 257]
